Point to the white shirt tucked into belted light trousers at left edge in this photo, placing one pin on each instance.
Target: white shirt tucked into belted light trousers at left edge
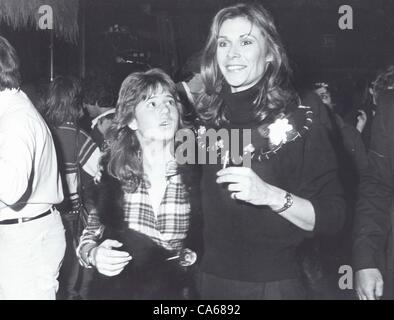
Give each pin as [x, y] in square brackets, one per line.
[29, 179]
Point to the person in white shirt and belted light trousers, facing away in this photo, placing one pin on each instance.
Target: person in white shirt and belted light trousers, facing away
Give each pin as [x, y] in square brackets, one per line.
[32, 240]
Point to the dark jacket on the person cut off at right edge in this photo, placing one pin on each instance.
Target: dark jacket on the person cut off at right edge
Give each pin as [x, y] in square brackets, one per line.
[372, 245]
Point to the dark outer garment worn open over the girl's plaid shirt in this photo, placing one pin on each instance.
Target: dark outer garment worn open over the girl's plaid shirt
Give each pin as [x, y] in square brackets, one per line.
[148, 275]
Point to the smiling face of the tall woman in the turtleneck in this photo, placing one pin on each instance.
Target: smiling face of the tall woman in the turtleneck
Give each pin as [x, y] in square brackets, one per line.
[241, 53]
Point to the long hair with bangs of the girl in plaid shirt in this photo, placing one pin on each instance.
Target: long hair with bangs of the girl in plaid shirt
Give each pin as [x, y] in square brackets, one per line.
[122, 157]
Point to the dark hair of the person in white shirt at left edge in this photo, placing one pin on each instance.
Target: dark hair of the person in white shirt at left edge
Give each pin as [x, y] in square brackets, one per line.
[10, 77]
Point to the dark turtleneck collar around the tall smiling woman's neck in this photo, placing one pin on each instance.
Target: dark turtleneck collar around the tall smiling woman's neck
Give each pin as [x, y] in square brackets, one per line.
[239, 106]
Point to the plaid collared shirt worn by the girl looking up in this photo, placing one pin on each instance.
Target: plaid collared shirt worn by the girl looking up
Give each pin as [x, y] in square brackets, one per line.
[168, 228]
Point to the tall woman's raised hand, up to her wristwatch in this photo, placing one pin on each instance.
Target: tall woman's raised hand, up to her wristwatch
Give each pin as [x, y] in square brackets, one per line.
[247, 186]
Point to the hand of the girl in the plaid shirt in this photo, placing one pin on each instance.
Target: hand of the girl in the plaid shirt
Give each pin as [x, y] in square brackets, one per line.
[108, 261]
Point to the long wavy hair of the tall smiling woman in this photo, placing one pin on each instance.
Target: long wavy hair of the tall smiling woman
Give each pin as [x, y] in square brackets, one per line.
[275, 92]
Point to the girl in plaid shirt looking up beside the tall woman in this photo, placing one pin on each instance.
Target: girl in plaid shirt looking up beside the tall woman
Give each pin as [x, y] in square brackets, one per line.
[143, 204]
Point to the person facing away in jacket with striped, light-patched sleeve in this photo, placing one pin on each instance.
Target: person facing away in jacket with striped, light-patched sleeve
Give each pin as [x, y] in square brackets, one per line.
[76, 151]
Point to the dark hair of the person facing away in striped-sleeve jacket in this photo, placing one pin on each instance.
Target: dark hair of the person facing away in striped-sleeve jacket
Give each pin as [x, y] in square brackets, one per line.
[63, 102]
